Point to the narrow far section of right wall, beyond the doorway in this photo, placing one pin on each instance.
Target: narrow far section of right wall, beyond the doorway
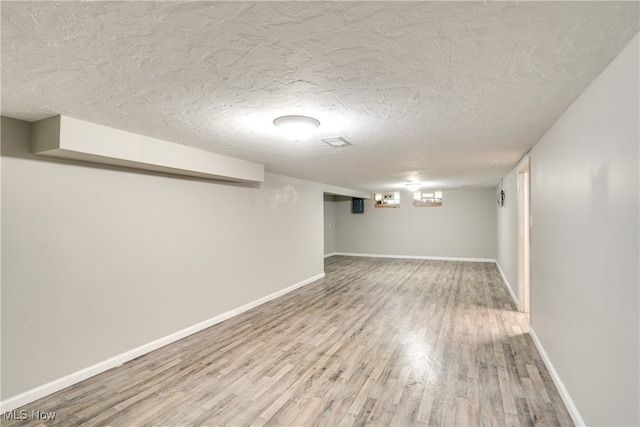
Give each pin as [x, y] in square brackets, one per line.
[507, 229]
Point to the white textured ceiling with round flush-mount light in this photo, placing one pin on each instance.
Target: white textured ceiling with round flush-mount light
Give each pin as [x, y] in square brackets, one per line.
[427, 91]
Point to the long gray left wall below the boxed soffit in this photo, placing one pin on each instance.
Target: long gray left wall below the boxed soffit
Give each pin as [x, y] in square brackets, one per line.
[98, 260]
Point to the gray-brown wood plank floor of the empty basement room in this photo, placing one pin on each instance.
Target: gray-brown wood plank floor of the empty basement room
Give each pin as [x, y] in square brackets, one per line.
[377, 342]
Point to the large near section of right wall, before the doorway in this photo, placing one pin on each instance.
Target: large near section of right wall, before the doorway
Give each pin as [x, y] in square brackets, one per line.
[585, 301]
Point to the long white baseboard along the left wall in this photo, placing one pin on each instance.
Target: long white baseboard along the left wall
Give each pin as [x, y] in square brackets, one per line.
[81, 375]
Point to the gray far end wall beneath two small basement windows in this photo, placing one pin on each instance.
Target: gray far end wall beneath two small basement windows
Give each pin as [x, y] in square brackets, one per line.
[463, 227]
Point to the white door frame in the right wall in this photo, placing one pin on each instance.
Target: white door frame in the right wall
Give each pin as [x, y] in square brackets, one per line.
[524, 217]
